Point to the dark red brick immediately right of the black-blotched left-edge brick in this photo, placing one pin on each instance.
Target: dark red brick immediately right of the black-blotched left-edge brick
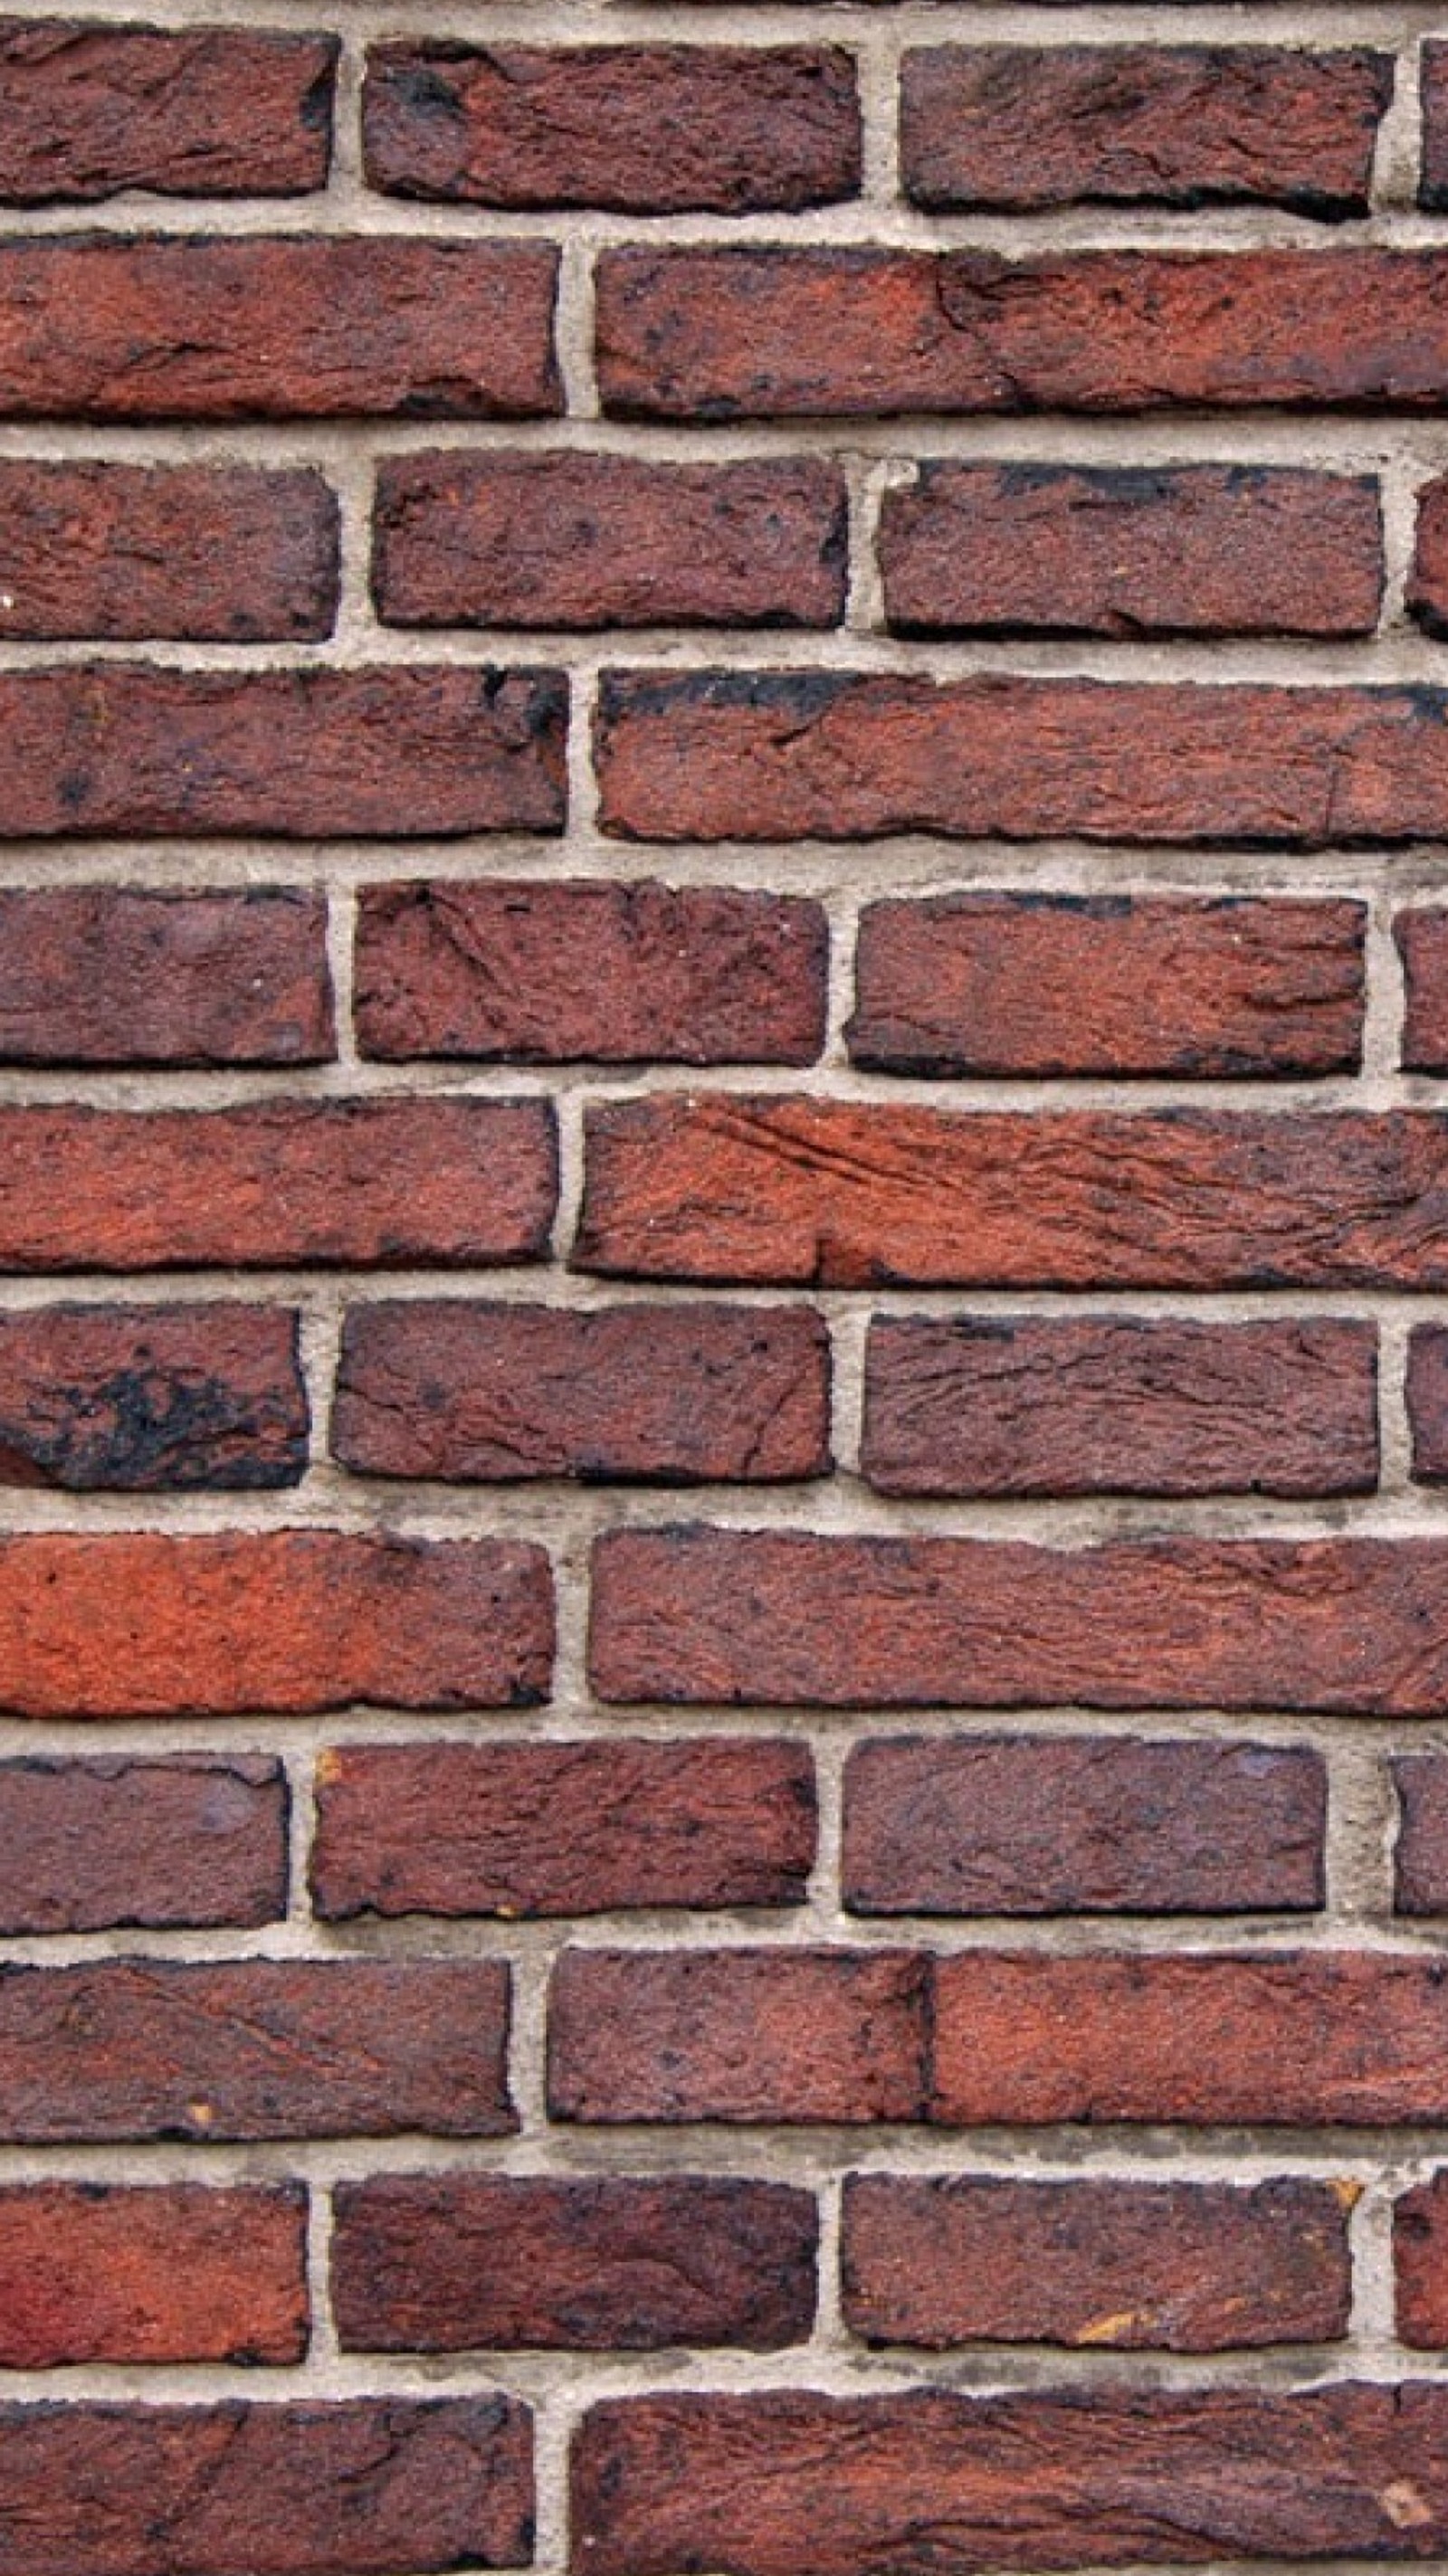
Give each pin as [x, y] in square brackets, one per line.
[658, 1395]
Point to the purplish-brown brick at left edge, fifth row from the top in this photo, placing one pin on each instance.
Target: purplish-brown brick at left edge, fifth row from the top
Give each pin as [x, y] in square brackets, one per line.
[128, 975]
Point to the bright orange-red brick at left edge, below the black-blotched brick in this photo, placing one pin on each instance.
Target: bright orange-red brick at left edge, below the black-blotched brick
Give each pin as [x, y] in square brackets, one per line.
[140, 1624]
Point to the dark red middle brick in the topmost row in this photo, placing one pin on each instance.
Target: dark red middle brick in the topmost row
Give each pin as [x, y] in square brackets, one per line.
[633, 128]
